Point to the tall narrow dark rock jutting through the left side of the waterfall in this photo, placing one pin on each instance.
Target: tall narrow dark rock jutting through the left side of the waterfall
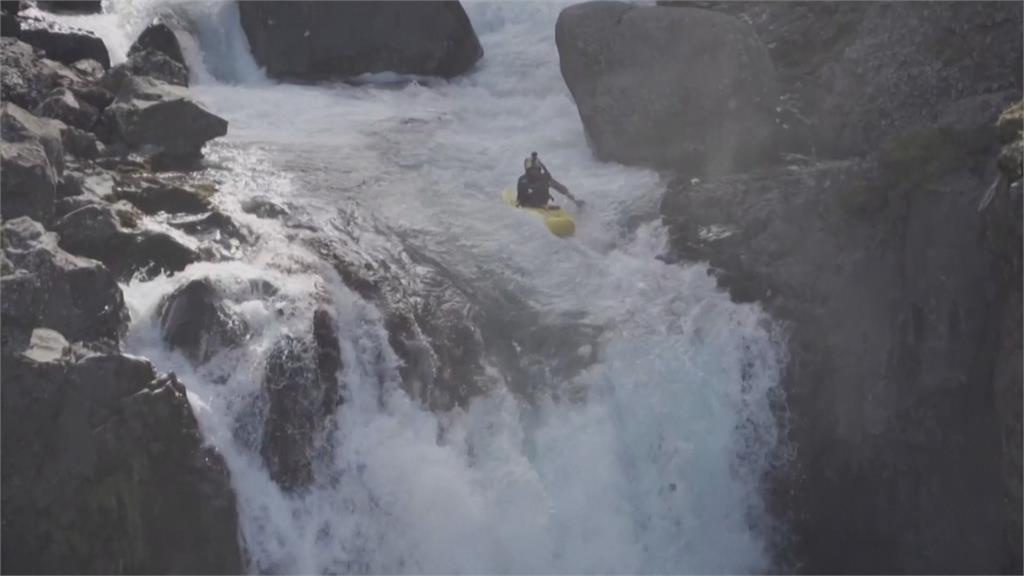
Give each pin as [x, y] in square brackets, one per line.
[302, 384]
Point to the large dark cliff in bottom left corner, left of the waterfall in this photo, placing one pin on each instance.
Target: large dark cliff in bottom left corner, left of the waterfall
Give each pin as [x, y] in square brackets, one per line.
[94, 447]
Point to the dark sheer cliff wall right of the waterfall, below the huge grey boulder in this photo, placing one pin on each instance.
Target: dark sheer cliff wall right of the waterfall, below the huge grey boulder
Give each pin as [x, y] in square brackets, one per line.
[882, 270]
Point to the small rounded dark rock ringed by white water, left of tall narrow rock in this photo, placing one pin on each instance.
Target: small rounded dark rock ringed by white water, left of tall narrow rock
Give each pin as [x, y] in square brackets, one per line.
[195, 321]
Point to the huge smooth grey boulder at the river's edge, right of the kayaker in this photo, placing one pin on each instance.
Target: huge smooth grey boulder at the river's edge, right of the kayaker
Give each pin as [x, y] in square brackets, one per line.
[681, 89]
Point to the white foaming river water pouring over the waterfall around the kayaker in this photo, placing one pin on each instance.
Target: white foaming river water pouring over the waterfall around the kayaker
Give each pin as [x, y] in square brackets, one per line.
[654, 468]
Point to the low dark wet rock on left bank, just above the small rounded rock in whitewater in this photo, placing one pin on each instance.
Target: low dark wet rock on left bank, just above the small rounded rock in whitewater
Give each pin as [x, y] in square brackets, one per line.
[96, 231]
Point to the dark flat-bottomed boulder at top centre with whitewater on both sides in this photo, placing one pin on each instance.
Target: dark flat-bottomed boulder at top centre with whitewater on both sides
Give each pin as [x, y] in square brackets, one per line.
[319, 40]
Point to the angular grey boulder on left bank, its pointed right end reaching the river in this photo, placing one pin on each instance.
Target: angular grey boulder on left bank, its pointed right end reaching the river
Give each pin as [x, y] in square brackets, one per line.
[158, 119]
